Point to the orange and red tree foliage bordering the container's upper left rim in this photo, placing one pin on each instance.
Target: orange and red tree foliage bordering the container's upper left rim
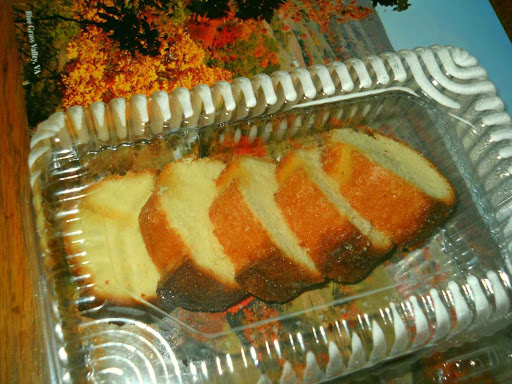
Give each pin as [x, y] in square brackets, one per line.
[192, 50]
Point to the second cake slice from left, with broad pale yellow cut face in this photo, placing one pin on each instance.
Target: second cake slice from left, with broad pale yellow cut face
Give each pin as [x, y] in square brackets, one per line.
[175, 224]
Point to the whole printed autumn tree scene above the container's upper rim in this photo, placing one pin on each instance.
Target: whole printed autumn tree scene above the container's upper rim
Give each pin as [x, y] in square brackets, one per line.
[97, 50]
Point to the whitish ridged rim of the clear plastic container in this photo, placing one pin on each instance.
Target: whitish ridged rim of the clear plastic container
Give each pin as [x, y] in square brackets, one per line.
[448, 76]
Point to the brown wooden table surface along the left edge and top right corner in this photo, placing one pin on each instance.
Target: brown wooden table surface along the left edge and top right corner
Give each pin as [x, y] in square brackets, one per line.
[20, 349]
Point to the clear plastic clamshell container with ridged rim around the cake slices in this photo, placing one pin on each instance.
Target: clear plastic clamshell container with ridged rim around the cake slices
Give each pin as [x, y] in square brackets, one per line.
[453, 289]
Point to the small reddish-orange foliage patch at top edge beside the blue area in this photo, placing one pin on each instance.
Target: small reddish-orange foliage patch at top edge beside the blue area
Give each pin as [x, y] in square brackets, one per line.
[323, 12]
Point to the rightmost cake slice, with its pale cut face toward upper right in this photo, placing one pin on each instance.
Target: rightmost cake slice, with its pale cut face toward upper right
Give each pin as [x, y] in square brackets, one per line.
[391, 185]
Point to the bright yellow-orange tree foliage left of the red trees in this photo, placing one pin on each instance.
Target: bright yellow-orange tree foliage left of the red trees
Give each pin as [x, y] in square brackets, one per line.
[99, 70]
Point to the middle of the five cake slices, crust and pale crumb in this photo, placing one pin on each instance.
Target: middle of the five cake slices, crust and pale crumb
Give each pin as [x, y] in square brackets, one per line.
[268, 259]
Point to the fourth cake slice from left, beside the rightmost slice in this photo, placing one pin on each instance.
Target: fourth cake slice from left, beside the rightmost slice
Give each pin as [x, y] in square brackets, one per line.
[342, 244]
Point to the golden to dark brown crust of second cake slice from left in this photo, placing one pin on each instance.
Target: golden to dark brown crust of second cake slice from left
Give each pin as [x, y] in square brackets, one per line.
[183, 282]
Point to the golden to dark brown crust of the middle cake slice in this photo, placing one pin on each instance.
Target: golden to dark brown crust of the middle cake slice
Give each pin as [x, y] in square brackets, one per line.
[260, 266]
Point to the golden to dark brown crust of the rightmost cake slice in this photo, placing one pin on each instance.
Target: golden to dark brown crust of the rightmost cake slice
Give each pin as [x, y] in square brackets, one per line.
[391, 204]
